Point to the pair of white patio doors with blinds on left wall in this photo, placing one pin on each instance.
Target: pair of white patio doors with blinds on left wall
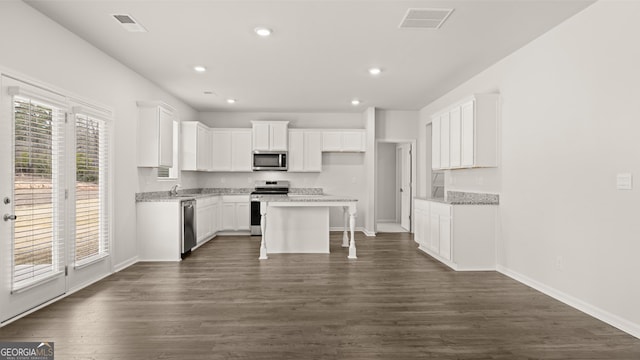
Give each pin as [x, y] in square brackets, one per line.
[54, 187]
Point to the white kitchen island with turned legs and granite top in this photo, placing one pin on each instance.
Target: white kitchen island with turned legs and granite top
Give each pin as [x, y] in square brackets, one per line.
[300, 224]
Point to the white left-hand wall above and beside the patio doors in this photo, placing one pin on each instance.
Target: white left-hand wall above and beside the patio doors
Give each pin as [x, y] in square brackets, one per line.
[74, 66]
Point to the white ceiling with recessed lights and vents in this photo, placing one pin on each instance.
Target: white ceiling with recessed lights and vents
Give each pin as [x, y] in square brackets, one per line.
[318, 56]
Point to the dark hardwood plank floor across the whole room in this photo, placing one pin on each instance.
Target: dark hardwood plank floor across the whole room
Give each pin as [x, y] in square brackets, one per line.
[394, 302]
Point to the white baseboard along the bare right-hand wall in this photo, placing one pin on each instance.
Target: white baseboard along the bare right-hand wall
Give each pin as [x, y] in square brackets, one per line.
[600, 314]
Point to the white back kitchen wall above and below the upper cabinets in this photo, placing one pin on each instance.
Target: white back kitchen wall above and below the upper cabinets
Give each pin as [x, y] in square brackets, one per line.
[342, 173]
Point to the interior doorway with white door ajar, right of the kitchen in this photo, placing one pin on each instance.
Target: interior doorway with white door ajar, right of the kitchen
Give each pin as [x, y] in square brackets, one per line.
[395, 172]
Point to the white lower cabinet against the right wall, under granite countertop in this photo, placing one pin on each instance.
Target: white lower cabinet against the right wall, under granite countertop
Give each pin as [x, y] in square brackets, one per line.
[460, 236]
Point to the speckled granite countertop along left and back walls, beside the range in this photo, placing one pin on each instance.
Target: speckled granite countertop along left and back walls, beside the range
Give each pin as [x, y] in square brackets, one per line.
[204, 192]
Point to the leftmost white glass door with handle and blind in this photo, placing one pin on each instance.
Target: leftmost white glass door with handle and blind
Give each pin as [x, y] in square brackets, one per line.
[32, 188]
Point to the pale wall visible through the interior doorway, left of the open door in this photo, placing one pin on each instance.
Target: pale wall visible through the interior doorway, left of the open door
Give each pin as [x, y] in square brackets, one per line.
[386, 186]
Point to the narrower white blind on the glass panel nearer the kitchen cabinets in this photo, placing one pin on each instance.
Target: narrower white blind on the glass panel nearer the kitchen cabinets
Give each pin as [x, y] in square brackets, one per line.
[92, 167]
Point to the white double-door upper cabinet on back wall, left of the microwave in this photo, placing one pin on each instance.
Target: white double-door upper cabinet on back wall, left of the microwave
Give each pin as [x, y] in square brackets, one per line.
[231, 150]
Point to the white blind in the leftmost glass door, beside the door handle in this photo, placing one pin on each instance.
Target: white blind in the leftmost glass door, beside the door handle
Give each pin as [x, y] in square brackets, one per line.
[38, 232]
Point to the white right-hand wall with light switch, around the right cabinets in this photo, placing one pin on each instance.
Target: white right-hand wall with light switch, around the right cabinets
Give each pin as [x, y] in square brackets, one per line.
[569, 124]
